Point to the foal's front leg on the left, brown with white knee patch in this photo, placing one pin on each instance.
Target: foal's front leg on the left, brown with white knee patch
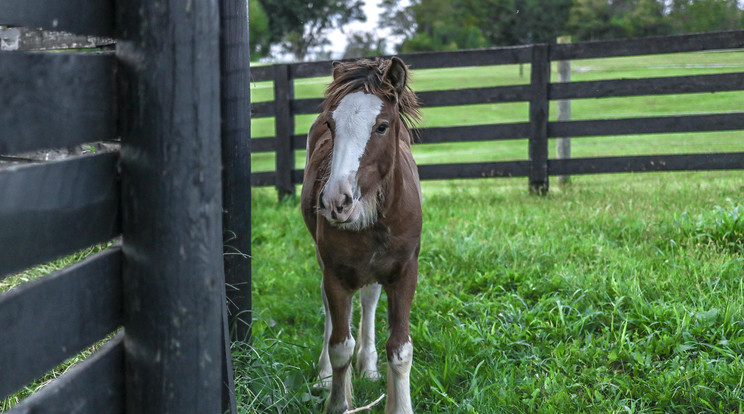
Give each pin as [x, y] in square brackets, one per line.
[340, 344]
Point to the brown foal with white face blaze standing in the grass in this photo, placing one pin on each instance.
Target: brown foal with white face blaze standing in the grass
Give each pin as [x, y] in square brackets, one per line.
[361, 202]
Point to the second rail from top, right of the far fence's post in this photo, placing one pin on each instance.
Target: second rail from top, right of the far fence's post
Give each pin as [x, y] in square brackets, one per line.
[652, 86]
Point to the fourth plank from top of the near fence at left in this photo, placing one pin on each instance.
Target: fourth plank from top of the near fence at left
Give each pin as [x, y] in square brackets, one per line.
[52, 318]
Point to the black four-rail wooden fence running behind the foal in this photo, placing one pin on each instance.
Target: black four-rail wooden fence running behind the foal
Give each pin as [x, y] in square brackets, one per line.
[538, 93]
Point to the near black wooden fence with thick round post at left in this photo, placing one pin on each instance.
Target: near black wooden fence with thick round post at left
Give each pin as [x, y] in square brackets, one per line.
[174, 86]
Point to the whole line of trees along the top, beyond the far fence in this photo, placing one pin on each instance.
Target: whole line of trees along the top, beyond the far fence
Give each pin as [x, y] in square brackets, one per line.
[299, 27]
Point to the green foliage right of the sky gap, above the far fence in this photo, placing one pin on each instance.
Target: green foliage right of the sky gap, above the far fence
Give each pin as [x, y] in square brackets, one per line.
[442, 24]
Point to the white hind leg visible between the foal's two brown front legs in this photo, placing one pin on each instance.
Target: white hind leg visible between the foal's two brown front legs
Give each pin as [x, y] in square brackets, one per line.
[366, 363]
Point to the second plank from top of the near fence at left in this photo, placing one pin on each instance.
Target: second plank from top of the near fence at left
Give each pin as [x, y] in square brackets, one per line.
[32, 115]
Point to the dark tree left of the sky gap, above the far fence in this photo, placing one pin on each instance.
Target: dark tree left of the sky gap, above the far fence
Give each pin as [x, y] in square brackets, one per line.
[299, 25]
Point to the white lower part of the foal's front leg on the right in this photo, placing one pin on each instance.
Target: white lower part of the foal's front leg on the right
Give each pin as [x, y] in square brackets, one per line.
[398, 378]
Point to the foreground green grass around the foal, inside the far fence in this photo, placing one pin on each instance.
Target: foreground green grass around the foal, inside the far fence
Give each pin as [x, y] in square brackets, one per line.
[618, 293]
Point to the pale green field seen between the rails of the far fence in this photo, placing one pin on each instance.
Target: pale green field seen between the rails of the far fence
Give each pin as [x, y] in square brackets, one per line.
[582, 70]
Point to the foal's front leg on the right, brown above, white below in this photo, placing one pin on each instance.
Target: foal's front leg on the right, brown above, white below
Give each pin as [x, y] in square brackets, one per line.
[399, 346]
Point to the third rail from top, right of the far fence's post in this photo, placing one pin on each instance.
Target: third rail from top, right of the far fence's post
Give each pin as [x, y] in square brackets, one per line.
[651, 125]
